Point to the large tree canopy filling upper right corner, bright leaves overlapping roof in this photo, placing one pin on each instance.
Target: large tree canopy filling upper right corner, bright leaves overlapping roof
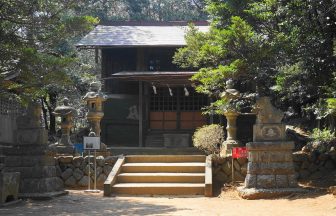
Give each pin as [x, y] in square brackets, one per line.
[286, 49]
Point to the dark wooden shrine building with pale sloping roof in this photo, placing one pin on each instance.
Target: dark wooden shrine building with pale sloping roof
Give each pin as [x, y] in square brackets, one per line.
[151, 101]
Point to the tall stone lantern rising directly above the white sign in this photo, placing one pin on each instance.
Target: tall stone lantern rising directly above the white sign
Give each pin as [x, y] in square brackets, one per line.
[95, 99]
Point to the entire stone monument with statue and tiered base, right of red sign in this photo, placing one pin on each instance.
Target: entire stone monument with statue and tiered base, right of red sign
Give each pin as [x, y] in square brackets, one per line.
[270, 170]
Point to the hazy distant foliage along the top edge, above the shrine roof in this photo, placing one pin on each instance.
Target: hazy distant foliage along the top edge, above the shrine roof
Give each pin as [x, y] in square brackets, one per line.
[142, 10]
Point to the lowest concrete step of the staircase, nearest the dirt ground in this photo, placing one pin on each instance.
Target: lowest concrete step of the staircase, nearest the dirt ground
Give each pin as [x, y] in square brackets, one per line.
[159, 188]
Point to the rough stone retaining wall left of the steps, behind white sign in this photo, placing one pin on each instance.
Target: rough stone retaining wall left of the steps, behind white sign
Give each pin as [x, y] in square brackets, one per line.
[74, 171]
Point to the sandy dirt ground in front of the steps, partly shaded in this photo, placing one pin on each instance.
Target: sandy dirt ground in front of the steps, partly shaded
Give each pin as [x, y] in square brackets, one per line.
[227, 203]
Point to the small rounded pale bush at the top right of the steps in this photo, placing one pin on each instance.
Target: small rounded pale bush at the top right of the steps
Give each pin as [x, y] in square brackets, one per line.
[209, 138]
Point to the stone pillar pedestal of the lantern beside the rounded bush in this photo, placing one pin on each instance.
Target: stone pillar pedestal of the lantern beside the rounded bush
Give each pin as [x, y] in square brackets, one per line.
[231, 140]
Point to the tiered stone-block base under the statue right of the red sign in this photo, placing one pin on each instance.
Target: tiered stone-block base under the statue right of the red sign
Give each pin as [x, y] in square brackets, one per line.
[270, 165]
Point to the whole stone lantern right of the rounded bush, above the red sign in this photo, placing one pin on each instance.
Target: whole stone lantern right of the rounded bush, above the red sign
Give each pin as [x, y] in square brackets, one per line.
[231, 114]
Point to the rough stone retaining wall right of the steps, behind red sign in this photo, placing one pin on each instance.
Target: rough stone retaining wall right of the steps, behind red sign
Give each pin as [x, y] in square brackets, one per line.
[308, 166]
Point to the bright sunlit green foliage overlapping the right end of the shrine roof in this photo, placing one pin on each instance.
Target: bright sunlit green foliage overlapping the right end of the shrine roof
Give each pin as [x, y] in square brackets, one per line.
[234, 51]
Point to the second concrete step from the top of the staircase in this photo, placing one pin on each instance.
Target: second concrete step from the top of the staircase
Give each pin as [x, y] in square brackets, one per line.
[196, 167]
